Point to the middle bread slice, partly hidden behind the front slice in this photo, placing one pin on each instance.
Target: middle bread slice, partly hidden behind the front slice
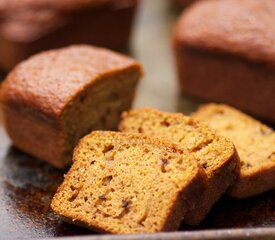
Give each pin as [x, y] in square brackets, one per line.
[214, 153]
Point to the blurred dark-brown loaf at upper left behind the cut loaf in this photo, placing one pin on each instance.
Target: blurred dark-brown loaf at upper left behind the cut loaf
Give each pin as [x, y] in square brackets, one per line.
[30, 26]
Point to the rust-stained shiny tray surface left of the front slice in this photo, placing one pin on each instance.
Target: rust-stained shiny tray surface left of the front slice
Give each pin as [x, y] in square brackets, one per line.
[27, 186]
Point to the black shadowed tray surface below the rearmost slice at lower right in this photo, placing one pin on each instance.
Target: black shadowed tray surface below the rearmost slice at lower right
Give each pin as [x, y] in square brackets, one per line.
[258, 211]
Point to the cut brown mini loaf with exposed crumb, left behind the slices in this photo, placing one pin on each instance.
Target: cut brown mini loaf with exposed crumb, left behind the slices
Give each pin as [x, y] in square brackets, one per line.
[52, 99]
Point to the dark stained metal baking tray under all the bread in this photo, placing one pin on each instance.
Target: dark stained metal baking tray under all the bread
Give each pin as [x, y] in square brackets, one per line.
[27, 185]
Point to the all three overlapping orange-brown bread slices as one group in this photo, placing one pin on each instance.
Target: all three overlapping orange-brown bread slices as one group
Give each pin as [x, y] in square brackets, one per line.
[165, 168]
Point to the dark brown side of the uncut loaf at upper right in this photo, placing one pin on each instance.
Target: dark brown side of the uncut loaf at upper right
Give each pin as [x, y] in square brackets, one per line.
[228, 79]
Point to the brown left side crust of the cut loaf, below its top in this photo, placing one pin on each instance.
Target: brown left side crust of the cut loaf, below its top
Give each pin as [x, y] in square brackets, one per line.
[35, 137]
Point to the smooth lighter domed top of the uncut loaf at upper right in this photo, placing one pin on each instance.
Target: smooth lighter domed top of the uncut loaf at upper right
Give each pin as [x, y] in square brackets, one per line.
[243, 28]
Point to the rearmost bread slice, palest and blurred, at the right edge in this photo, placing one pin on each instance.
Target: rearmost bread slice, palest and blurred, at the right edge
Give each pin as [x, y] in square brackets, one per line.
[255, 143]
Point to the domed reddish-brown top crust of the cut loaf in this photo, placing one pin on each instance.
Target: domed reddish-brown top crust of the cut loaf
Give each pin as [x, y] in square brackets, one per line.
[62, 74]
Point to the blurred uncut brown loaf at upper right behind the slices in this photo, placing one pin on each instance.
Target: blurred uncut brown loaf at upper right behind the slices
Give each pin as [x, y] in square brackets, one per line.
[225, 52]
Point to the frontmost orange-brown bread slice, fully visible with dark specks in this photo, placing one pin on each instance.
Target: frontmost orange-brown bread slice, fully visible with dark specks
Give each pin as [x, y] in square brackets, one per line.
[128, 183]
